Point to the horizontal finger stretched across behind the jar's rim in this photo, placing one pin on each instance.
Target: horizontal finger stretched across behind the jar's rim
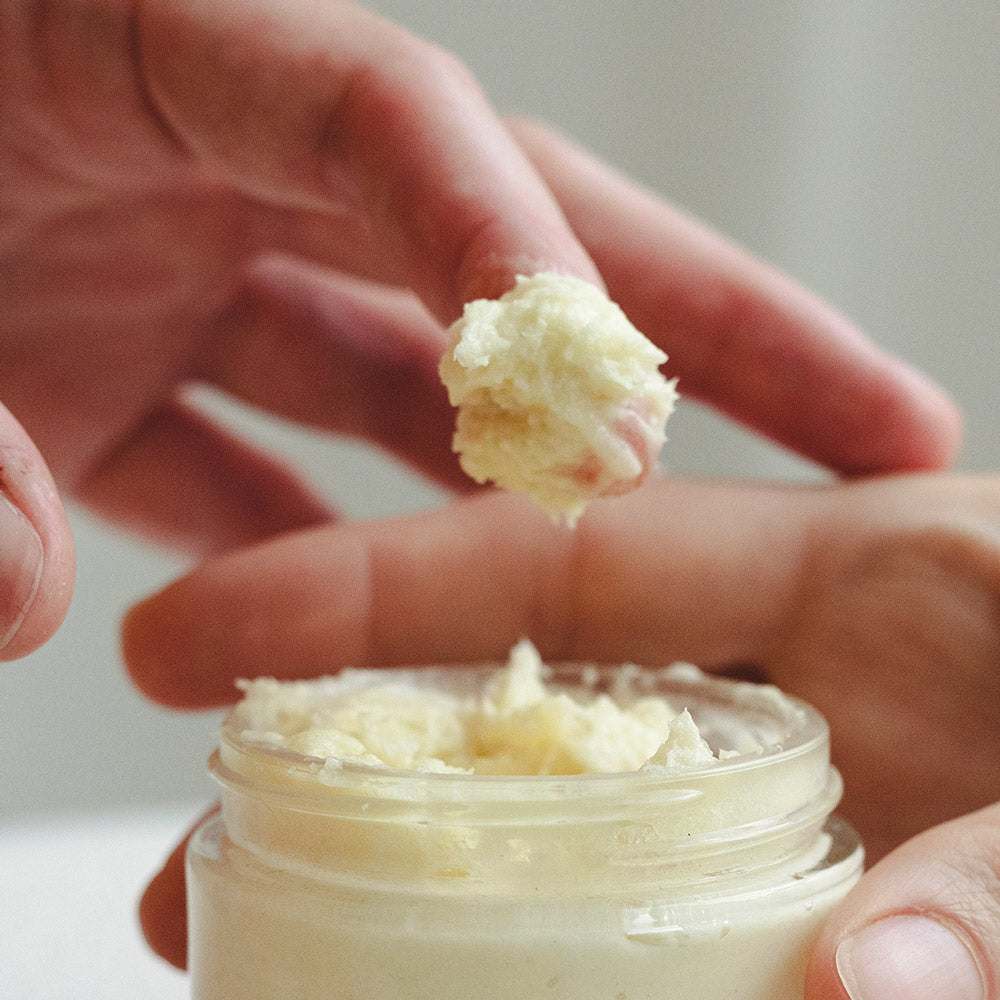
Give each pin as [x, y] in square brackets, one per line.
[465, 583]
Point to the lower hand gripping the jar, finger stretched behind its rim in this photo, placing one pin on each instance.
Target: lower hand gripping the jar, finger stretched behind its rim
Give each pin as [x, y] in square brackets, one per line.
[876, 601]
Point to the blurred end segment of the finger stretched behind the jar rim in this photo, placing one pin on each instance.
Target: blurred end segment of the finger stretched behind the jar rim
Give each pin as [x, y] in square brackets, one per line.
[272, 608]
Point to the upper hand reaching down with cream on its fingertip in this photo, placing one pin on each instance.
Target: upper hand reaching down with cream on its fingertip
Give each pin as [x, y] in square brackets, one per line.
[203, 192]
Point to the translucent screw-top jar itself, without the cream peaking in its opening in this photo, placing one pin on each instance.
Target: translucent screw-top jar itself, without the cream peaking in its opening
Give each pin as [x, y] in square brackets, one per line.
[343, 881]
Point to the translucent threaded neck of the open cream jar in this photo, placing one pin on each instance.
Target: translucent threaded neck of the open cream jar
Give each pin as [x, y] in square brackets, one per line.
[617, 833]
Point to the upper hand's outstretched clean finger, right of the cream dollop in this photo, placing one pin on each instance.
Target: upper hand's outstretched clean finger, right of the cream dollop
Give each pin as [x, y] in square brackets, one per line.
[743, 337]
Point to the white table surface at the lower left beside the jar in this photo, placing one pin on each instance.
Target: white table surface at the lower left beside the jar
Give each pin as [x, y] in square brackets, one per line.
[68, 893]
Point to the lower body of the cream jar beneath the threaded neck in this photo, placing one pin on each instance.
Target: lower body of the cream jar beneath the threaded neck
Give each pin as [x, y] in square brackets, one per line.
[273, 944]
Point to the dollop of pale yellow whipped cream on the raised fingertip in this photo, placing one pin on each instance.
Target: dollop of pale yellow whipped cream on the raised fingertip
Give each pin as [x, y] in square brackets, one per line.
[559, 396]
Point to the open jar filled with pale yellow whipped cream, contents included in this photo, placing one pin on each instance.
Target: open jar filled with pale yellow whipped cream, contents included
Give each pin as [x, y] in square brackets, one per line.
[518, 832]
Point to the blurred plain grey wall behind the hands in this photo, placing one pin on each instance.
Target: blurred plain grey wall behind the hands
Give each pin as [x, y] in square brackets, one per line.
[856, 145]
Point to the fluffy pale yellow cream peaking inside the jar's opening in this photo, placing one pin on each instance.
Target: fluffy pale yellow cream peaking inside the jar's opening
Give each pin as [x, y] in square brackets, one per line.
[516, 726]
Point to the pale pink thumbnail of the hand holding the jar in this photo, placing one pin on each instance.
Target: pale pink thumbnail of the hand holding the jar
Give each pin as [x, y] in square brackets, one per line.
[908, 958]
